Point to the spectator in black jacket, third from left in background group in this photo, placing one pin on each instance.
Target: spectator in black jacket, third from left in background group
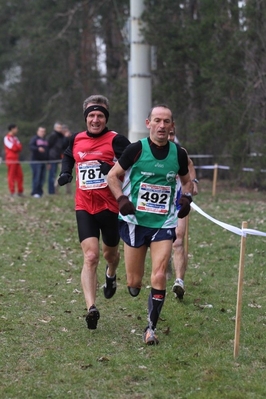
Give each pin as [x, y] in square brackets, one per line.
[56, 142]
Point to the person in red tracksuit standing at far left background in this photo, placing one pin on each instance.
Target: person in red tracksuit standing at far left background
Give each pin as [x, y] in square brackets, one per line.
[13, 148]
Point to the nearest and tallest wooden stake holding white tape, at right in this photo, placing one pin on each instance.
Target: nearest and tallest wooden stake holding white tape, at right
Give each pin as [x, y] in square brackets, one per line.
[239, 291]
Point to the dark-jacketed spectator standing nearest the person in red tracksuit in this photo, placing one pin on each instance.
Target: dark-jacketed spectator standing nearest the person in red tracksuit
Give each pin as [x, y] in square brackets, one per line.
[39, 154]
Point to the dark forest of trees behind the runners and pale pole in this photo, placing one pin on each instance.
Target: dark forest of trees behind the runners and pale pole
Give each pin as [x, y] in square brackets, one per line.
[210, 69]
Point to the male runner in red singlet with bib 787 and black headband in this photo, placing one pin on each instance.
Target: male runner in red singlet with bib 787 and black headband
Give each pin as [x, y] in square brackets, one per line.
[94, 151]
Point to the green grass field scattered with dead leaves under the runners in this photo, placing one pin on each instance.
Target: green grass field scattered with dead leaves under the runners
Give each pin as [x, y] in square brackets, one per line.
[46, 349]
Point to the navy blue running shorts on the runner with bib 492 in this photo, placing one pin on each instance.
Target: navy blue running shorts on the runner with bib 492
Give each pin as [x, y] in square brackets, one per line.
[136, 236]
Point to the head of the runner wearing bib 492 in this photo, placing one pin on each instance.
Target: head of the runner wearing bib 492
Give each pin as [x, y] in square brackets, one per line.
[160, 125]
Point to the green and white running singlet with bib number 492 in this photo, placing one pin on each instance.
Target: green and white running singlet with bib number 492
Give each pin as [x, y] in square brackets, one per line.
[151, 184]
